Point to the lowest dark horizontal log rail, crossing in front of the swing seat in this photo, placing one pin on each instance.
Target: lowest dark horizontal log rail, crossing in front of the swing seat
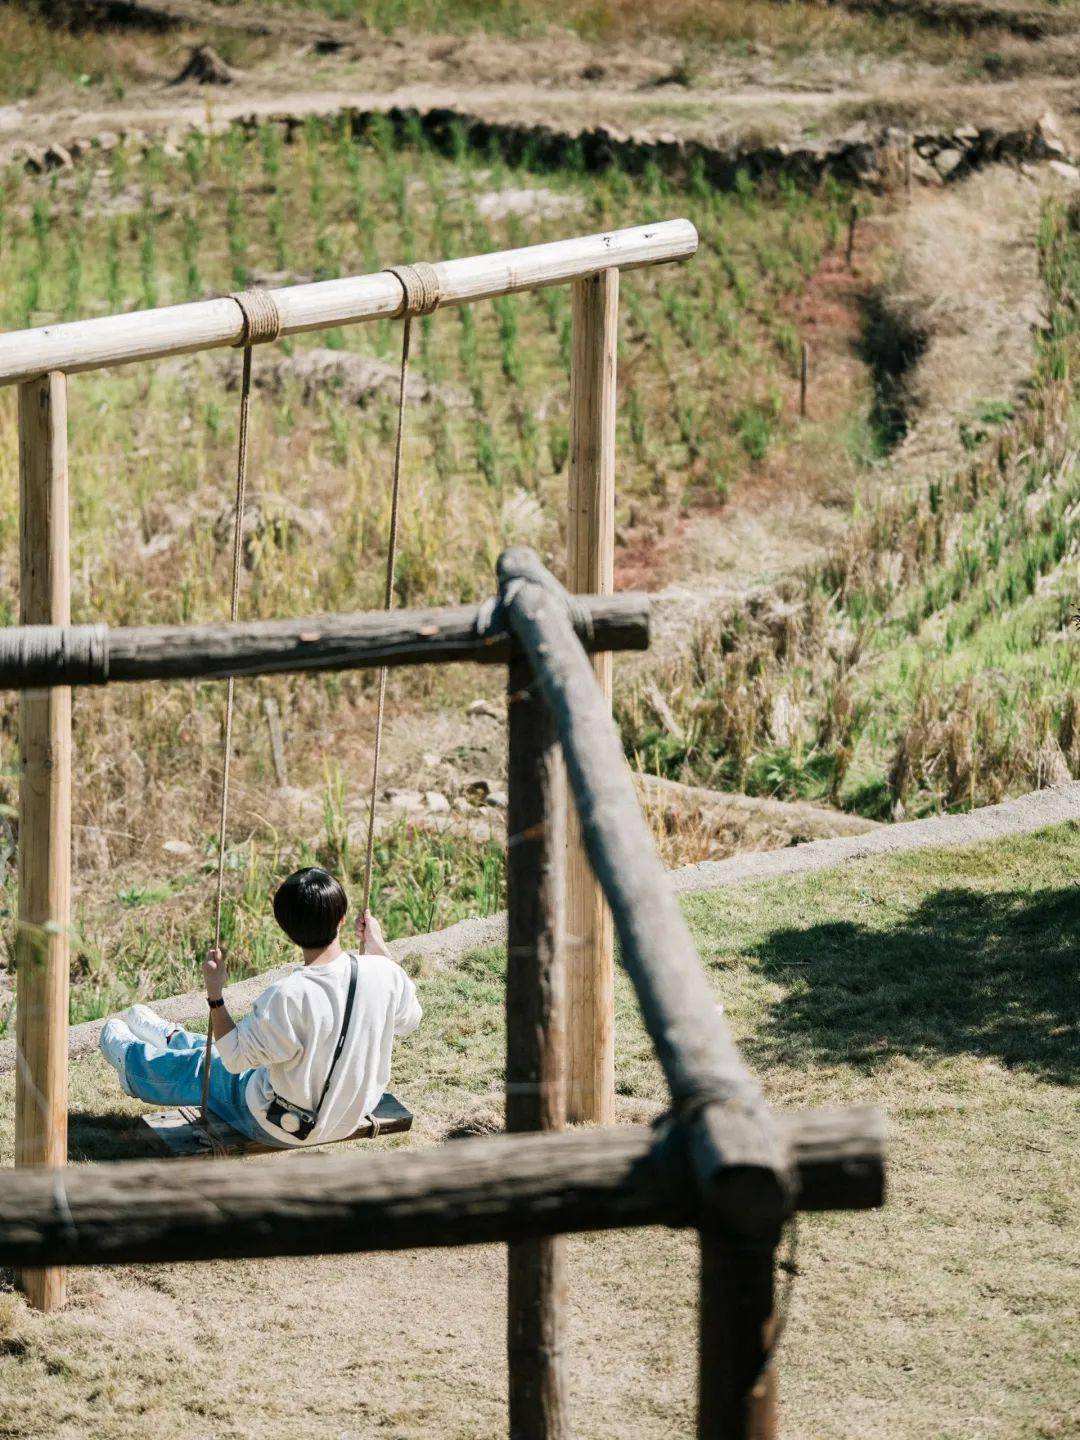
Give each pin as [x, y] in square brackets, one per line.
[510, 1187]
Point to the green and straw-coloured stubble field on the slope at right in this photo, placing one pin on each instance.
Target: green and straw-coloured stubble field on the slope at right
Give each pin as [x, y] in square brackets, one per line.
[934, 660]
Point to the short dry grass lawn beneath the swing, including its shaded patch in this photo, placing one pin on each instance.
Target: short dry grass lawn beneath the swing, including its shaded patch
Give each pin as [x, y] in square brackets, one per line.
[940, 986]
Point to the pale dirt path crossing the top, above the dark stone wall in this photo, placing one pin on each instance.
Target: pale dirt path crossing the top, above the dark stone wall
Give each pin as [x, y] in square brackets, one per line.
[735, 99]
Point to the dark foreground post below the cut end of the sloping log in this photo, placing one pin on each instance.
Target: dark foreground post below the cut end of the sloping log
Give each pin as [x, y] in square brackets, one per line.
[737, 1398]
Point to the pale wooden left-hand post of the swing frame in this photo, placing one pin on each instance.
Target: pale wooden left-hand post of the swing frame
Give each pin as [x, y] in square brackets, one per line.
[41, 1105]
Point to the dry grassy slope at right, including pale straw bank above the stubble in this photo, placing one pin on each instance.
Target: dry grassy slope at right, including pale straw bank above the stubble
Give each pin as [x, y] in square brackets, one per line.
[931, 662]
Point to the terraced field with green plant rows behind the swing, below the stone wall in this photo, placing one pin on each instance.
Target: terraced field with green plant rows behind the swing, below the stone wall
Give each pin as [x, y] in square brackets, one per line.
[709, 362]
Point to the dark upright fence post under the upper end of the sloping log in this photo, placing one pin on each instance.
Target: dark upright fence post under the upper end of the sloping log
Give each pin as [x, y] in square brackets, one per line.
[536, 1048]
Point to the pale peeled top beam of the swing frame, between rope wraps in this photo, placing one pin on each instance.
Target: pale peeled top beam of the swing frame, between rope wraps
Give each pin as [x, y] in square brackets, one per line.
[208, 325]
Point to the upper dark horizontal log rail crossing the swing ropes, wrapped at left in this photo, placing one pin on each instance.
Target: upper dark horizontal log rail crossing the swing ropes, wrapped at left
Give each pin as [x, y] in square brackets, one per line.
[40, 656]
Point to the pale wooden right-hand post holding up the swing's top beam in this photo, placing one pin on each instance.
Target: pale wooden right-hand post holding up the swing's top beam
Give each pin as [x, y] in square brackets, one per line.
[591, 571]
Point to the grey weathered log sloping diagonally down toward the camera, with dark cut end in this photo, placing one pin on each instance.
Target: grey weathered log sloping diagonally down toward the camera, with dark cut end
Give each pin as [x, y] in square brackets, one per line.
[735, 1140]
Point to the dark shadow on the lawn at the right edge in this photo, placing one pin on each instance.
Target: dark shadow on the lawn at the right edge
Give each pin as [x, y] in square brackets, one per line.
[967, 973]
